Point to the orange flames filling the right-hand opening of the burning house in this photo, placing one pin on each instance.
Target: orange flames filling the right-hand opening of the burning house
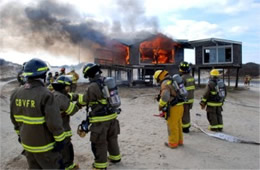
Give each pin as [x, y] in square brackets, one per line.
[159, 50]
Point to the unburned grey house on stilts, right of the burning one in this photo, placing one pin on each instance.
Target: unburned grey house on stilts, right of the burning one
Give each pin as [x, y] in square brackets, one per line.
[217, 53]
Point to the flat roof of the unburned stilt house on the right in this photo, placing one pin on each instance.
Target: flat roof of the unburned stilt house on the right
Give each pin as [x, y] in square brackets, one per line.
[213, 42]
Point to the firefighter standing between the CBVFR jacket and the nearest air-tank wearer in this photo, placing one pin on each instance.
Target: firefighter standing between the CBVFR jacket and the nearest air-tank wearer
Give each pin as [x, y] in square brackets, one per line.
[62, 87]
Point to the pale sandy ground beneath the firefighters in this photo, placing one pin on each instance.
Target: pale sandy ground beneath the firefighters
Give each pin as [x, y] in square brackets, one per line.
[143, 135]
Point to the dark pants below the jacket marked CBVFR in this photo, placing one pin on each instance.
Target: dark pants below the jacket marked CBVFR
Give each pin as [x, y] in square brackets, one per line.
[45, 160]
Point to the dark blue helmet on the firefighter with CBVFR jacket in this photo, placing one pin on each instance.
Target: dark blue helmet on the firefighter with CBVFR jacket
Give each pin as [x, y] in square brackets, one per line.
[35, 68]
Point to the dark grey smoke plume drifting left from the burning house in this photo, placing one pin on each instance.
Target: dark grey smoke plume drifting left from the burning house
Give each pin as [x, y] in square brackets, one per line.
[59, 29]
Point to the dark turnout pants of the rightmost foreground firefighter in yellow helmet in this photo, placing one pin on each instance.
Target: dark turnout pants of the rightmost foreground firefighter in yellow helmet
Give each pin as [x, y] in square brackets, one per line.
[214, 117]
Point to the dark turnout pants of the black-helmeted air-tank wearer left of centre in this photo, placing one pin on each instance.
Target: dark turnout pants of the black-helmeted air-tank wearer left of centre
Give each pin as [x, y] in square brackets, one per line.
[103, 139]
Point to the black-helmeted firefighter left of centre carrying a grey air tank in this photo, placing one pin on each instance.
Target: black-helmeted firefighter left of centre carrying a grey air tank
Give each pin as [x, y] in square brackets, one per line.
[104, 124]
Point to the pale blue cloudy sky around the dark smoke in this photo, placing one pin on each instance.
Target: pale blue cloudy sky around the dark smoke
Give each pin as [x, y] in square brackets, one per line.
[237, 20]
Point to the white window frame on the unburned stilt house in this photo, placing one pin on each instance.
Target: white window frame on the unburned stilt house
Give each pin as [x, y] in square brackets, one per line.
[216, 48]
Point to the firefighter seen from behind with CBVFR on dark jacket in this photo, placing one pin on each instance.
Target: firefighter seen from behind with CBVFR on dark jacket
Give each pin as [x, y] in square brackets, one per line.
[37, 119]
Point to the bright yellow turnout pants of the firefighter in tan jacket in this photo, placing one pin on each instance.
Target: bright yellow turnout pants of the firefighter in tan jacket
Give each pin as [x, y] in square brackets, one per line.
[174, 124]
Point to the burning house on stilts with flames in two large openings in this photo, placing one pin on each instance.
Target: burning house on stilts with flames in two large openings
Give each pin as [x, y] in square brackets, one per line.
[141, 57]
